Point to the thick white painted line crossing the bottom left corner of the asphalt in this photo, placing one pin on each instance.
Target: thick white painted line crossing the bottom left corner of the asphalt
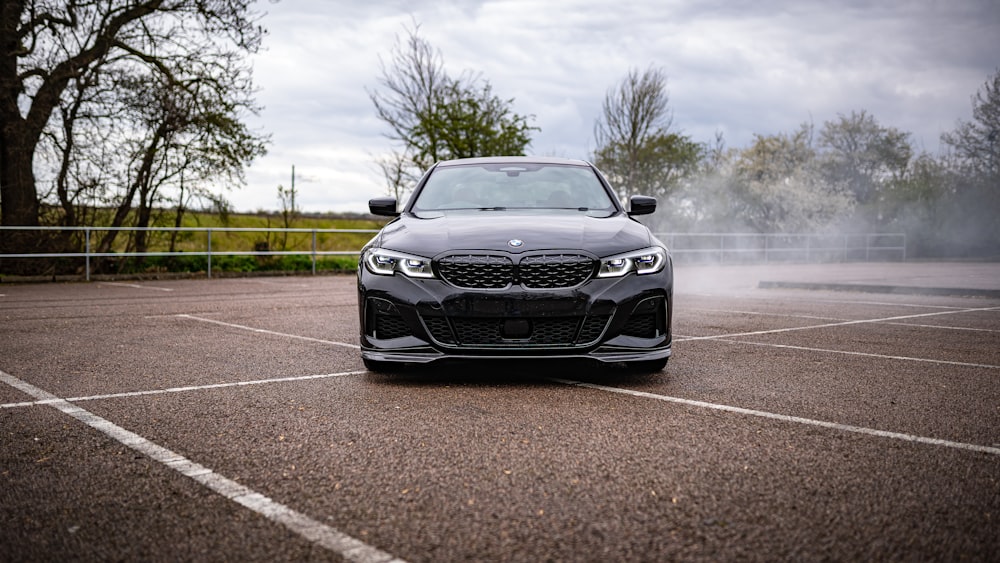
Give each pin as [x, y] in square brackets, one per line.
[316, 532]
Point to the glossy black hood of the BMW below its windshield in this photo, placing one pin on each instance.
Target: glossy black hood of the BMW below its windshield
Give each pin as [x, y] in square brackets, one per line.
[492, 230]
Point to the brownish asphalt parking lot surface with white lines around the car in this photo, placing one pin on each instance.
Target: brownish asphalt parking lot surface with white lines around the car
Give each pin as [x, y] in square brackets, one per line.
[832, 412]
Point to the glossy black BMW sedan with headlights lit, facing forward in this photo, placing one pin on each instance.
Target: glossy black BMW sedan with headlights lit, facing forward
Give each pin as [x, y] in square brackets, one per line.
[515, 257]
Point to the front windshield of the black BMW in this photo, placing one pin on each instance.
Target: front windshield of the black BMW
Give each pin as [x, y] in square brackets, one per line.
[501, 186]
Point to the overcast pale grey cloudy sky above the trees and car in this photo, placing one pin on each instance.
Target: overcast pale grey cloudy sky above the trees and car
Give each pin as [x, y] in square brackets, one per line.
[739, 67]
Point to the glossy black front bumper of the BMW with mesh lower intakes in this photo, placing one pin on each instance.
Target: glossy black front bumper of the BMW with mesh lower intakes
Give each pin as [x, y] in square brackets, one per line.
[625, 319]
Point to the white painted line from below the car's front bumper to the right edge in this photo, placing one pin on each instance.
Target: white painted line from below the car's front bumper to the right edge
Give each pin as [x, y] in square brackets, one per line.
[787, 418]
